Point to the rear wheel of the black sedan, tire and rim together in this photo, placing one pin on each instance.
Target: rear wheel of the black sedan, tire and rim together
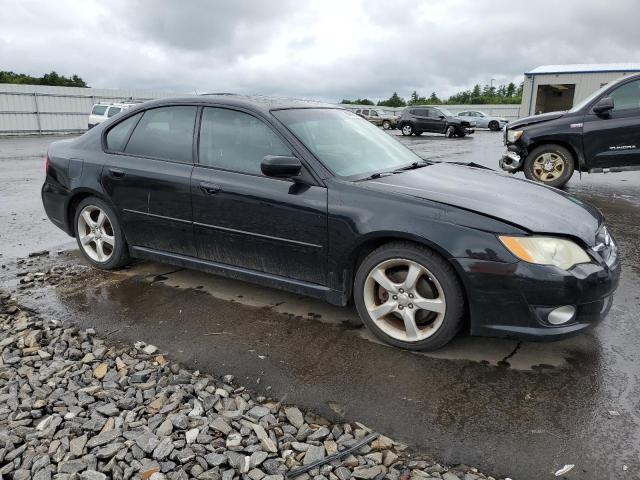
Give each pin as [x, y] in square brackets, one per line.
[95, 218]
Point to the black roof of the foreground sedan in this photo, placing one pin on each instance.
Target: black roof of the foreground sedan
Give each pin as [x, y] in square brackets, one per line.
[252, 102]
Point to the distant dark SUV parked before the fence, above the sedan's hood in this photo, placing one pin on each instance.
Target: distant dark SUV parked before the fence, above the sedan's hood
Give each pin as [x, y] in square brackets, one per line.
[416, 120]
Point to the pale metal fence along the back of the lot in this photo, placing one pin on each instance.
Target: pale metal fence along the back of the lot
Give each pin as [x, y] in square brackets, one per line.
[38, 109]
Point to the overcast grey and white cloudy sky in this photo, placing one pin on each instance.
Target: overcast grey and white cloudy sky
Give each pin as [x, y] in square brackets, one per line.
[320, 49]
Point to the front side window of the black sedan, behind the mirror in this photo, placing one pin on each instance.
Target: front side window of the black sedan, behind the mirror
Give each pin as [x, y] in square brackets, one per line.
[237, 141]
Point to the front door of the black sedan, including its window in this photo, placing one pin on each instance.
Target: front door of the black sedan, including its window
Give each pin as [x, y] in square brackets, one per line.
[243, 218]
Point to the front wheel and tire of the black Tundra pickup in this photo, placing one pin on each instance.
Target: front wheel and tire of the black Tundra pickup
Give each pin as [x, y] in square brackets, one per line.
[550, 165]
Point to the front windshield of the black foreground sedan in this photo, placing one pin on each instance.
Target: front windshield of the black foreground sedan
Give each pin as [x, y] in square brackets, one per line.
[346, 144]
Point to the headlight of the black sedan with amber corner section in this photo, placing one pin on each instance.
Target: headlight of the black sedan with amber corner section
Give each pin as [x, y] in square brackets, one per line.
[546, 251]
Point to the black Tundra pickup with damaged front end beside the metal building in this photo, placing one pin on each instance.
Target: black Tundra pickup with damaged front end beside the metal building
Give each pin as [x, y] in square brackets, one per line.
[600, 134]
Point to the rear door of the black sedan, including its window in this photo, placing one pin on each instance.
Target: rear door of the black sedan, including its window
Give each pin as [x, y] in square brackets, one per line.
[148, 177]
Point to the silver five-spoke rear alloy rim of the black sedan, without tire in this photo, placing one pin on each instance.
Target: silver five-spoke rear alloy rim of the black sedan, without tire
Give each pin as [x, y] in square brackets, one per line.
[95, 233]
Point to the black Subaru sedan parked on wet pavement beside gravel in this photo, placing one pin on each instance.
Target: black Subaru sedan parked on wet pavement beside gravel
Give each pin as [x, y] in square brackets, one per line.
[313, 199]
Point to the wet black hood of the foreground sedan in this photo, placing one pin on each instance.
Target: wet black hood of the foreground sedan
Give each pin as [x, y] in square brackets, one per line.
[533, 207]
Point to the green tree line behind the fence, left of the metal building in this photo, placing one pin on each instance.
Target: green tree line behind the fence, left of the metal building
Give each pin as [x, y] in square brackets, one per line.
[509, 93]
